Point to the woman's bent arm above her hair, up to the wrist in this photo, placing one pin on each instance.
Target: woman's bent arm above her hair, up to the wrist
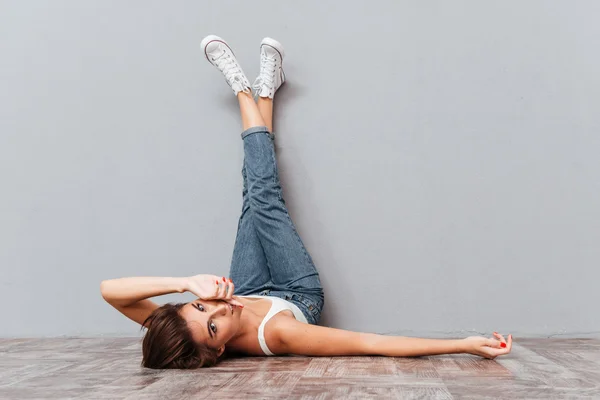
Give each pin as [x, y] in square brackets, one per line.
[130, 295]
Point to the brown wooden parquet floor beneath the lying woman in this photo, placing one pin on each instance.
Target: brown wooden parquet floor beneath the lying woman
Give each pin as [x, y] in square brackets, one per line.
[108, 368]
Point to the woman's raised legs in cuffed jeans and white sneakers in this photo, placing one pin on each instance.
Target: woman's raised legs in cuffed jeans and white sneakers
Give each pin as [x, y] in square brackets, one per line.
[266, 233]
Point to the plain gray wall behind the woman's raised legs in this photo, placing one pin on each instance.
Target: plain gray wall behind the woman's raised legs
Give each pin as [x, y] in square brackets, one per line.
[440, 159]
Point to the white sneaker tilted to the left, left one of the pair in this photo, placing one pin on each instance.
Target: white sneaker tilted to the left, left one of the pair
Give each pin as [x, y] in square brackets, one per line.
[219, 54]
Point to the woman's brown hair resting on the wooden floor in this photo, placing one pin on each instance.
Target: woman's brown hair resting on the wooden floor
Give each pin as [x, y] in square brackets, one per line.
[169, 344]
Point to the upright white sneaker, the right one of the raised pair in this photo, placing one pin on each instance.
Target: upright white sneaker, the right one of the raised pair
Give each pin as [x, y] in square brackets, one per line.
[271, 75]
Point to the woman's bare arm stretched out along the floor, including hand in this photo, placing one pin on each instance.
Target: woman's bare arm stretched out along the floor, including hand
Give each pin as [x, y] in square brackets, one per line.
[294, 337]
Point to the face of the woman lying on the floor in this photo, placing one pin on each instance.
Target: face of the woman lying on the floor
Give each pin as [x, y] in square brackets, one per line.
[212, 322]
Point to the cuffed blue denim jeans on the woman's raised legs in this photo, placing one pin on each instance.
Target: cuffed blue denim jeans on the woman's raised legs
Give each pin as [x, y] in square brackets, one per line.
[269, 258]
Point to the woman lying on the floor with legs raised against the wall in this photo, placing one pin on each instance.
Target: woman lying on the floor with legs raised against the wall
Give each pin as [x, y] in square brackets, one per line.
[279, 296]
